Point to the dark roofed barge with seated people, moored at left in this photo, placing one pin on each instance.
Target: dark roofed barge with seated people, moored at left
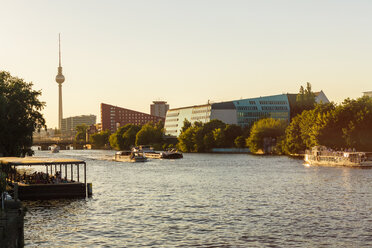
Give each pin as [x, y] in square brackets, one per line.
[61, 178]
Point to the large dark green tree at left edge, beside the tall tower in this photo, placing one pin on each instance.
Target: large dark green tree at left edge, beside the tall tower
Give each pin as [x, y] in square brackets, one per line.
[19, 115]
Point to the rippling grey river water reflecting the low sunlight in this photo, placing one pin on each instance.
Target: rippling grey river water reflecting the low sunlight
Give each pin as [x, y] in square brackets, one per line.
[207, 200]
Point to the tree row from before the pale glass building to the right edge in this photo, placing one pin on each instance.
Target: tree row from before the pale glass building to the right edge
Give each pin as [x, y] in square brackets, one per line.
[338, 126]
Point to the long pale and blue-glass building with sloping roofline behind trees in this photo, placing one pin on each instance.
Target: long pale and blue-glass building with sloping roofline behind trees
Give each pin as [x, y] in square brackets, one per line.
[243, 112]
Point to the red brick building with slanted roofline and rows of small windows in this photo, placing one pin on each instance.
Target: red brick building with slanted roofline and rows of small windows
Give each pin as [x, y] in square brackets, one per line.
[113, 117]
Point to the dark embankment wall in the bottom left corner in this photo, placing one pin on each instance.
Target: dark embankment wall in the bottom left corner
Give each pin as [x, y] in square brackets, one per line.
[11, 225]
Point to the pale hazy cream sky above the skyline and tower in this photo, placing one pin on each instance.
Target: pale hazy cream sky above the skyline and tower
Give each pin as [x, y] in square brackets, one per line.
[129, 53]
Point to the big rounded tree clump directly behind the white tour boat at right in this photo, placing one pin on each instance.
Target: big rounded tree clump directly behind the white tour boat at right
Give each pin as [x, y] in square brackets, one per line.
[347, 125]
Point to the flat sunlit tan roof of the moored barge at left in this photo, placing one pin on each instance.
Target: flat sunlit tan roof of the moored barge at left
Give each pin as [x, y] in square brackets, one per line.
[38, 161]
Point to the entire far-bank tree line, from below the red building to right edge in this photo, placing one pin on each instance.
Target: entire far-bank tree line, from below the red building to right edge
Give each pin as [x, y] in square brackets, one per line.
[338, 126]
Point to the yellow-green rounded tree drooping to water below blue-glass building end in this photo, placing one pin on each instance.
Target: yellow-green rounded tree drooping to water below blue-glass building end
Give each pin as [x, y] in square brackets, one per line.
[268, 128]
